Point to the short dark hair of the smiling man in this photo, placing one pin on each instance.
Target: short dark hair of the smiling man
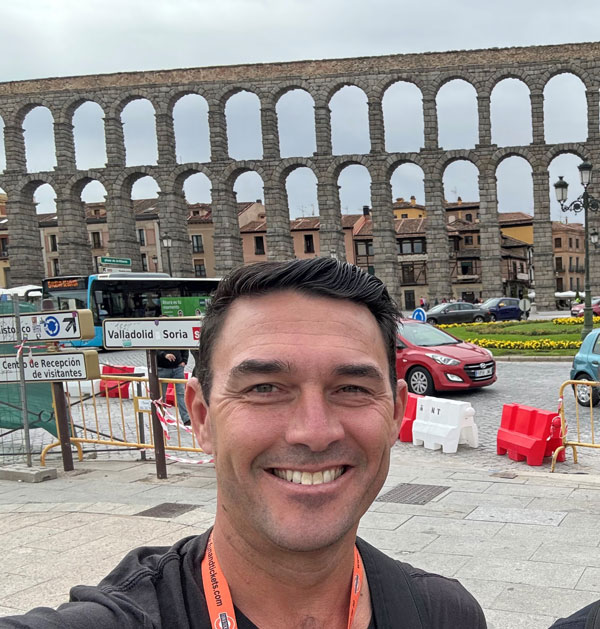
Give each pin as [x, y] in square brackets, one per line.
[323, 277]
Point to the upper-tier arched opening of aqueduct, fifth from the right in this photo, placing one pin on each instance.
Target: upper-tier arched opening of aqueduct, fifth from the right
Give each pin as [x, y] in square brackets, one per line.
[349, 121]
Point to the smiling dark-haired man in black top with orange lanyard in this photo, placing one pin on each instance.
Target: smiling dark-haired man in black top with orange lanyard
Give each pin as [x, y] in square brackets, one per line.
[296, 397]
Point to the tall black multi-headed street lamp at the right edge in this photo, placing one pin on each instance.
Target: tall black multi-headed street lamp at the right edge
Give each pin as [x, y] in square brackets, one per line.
[584, 203]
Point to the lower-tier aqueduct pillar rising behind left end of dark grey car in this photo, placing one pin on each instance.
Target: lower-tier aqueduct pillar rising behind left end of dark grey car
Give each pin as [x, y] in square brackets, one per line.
[439, 263]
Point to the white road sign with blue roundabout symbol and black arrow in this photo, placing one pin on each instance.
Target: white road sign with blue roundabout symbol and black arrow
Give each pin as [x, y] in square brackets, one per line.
[62, 325]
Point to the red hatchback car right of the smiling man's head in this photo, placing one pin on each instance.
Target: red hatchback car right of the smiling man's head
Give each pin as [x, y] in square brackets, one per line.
[431, 360]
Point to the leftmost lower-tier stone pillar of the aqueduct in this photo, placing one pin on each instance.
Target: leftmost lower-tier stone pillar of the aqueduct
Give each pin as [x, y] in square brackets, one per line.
[24, 246]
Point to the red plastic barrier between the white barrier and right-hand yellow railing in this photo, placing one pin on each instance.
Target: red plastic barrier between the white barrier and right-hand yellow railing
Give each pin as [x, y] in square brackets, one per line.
[525, 434]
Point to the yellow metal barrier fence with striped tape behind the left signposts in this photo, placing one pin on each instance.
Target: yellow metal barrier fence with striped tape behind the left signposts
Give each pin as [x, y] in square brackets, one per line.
[115, 412]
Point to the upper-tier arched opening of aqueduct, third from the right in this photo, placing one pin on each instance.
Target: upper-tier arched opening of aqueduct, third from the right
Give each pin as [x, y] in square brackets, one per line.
[458, 123]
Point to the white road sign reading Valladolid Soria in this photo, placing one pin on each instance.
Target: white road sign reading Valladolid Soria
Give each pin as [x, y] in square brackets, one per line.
[180, 333]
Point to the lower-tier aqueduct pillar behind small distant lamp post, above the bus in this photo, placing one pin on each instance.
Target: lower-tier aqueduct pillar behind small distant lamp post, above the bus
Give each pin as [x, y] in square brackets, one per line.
[173, 213]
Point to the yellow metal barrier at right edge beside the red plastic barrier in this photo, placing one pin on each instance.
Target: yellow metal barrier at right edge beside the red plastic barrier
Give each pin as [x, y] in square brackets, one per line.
[587, 394]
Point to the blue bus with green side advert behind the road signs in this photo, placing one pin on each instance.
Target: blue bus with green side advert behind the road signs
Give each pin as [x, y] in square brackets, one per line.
[126, 295]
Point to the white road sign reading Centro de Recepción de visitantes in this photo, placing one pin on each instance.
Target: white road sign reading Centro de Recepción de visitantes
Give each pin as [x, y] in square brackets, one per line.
[56, 367]
